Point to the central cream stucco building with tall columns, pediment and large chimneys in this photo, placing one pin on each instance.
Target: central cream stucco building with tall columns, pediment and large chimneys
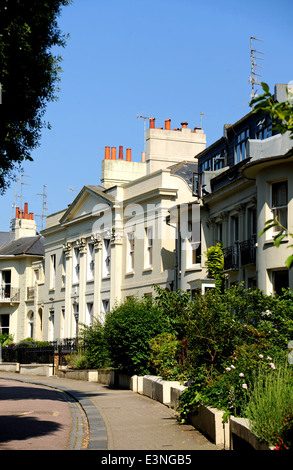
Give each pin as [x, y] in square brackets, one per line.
[116, 240]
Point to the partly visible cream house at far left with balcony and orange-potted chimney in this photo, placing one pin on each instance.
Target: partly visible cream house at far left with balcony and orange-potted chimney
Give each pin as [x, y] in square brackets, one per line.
[21, 276]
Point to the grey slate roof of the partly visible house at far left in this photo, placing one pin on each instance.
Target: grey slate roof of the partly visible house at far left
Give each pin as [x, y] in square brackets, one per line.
[33, 246]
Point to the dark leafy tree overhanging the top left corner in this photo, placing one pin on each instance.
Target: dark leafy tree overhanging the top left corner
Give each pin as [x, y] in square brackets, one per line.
[28, 74]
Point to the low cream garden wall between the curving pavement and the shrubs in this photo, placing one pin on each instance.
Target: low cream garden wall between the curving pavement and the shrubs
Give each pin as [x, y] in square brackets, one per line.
[232, 435]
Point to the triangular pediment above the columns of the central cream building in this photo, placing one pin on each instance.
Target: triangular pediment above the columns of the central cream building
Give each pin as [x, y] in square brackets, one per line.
[90, 202]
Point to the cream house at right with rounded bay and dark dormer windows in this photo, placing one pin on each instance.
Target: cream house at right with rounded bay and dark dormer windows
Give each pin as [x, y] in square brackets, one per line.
[252, 186]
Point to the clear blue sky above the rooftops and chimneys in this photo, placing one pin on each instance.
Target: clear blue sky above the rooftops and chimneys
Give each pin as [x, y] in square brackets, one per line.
[157, 58]
